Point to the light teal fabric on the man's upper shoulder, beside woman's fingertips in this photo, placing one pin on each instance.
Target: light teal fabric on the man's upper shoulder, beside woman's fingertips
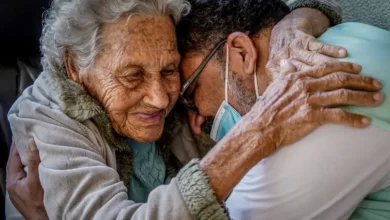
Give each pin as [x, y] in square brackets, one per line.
[368, 46]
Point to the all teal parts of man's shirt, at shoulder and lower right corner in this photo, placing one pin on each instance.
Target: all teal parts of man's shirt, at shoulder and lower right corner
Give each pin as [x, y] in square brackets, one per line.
[368, 46]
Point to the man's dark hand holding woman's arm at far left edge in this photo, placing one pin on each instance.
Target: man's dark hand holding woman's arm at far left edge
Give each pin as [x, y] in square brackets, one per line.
[25, 190]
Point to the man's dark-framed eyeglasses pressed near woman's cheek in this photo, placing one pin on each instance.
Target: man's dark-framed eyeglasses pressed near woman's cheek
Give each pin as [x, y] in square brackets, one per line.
[189, 104]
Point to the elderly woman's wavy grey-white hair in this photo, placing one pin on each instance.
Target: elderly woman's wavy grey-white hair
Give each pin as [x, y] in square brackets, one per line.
[74, 25]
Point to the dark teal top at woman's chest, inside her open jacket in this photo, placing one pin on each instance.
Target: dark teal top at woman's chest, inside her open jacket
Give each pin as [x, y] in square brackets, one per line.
[149, 170]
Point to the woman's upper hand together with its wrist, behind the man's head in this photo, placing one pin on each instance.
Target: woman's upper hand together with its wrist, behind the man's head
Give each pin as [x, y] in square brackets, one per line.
[295, 38]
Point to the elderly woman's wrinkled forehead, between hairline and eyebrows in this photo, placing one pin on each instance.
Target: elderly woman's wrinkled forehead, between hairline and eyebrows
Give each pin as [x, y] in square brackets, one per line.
[142, 33]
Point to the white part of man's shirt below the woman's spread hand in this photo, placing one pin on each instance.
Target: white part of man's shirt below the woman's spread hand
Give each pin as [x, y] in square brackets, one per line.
[323, 176]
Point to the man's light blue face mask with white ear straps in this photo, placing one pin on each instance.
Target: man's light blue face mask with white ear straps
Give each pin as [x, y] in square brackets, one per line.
[227, 116]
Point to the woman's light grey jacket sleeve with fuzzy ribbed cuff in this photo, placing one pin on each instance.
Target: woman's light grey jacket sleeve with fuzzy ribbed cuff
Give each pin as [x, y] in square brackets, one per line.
[75, 176]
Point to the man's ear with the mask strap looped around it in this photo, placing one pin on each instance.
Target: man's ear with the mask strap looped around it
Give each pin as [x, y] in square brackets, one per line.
[242, 53]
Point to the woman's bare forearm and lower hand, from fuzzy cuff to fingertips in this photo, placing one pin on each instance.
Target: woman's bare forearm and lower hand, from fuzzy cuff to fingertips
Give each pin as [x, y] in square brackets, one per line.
[292, 106]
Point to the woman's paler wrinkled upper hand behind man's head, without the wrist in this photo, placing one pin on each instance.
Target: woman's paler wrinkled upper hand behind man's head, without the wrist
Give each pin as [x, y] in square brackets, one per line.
[293, 41]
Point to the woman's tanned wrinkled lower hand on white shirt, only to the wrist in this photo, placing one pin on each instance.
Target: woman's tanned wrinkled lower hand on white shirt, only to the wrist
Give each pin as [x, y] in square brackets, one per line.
[298, 102]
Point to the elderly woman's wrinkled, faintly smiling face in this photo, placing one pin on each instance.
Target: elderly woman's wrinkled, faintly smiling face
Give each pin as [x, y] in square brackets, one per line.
[135, 75]
